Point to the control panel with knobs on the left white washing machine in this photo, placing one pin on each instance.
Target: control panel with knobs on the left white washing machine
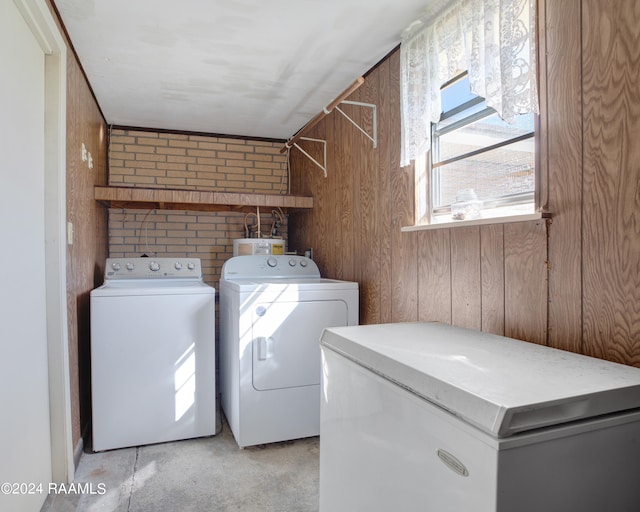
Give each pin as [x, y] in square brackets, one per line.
[153, 268]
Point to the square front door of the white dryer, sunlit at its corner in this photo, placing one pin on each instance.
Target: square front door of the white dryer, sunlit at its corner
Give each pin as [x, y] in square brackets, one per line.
[286, 341]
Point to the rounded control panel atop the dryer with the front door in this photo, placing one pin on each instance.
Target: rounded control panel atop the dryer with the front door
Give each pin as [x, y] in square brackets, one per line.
[272, 266]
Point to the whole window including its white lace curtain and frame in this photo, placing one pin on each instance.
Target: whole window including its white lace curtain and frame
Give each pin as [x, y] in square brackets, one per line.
[464, 153]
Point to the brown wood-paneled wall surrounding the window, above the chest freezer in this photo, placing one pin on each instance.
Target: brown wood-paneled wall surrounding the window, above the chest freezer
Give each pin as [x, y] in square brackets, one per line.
[571, 282]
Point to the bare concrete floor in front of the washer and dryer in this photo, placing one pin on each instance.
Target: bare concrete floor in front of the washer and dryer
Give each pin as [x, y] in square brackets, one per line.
[198, 475]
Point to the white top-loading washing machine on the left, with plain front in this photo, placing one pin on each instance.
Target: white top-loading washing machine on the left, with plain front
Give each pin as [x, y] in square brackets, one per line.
[152, 353]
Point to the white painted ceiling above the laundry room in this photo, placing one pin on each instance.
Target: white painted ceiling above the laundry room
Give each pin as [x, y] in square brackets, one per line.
[256, 68]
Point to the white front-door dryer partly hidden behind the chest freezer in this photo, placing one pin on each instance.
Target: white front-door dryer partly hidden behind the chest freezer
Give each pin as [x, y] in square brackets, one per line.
[273, 310]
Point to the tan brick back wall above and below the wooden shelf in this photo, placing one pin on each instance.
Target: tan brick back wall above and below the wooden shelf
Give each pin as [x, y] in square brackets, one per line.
[189, 162]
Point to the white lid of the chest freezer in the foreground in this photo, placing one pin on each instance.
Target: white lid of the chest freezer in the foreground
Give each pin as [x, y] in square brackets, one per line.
[500, 385]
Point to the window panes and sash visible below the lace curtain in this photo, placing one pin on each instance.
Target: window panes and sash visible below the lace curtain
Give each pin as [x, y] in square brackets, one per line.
[481, 166]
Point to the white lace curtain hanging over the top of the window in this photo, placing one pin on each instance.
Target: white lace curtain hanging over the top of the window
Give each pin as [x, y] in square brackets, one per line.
[494, 40]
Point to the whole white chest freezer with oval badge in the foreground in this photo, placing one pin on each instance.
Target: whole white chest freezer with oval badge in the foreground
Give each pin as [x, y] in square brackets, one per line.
[435, 418]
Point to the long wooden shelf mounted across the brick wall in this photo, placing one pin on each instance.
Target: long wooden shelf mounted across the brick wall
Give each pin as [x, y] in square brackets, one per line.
[169, 199]
